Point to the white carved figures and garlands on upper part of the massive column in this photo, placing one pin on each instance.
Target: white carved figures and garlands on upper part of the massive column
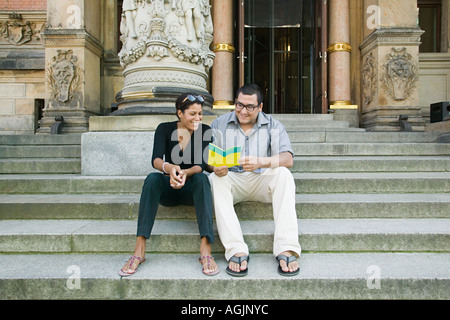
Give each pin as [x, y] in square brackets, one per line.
[160, 28]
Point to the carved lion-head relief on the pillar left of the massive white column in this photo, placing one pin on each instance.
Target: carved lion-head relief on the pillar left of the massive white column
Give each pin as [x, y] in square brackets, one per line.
[64, 78]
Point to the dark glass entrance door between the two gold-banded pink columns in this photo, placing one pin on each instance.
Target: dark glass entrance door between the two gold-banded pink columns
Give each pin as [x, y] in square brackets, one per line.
[278, 53]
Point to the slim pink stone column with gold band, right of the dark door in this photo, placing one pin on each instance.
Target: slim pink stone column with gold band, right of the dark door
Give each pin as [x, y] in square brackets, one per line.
[339, 51]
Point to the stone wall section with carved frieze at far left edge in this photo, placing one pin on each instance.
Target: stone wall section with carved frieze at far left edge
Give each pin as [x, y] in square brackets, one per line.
[22, 73]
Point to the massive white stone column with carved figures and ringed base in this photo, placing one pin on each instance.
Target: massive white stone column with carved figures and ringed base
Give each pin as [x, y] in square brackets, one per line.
[165, 52]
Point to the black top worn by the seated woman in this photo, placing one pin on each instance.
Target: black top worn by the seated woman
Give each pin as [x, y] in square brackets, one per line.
[166, 146]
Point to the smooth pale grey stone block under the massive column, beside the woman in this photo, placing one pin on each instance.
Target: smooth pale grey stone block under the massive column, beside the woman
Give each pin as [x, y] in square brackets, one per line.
[122, 146]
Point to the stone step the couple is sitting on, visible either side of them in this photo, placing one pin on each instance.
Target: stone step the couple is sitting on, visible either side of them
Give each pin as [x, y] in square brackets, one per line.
[369, 182]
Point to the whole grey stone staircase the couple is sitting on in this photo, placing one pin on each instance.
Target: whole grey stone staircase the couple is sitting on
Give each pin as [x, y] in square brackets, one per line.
[373, 213]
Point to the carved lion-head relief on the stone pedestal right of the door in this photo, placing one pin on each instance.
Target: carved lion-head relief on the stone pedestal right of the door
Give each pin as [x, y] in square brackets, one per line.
[400, 74]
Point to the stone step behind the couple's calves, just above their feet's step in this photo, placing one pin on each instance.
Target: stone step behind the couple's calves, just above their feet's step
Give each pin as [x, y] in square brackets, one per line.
[324, 235]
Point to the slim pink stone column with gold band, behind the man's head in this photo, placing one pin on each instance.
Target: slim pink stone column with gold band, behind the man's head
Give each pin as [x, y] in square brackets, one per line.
[222, 71]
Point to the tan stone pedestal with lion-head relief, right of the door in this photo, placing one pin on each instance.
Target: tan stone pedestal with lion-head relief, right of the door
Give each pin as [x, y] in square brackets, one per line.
[389, 80]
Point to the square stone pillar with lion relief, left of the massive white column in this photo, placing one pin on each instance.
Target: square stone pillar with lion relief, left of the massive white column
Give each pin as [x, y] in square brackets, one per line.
[72, 63]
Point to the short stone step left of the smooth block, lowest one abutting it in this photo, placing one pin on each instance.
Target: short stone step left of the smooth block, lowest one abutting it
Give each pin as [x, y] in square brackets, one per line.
[51, 165]
